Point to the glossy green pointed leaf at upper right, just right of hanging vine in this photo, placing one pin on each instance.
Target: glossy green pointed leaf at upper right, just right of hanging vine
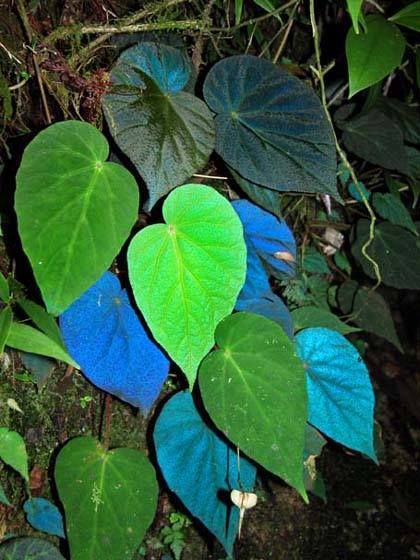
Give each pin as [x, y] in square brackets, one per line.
[373, 55]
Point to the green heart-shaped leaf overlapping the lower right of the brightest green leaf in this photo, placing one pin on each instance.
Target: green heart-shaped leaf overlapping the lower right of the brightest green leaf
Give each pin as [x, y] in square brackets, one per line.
[254, 389]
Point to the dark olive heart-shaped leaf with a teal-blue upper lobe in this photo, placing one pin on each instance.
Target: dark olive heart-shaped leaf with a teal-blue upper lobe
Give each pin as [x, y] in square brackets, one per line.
[167, 132]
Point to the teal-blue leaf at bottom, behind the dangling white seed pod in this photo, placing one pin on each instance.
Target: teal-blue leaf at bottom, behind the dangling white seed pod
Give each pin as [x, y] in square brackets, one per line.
[200, 467]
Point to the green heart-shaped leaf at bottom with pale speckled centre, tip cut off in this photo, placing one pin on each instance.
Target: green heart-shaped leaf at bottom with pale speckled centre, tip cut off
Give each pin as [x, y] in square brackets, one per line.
[109, 498]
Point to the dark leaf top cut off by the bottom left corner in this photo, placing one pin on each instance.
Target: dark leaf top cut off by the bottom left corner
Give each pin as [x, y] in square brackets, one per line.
[28, 548]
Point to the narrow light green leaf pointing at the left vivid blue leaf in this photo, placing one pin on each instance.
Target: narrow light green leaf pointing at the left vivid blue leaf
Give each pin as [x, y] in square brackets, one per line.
[28, 339]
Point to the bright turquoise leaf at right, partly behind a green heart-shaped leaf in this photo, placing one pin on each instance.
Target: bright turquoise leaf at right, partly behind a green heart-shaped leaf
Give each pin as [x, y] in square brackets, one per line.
[340, 394]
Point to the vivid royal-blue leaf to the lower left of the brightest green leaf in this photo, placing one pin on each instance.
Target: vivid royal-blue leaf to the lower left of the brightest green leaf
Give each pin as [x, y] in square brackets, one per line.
[111, 345]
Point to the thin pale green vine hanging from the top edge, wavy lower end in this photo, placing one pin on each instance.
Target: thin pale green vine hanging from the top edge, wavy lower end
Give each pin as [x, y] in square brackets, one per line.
[340, 151]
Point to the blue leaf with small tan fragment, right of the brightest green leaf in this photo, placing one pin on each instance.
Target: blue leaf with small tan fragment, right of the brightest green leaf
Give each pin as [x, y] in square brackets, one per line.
[270, 245]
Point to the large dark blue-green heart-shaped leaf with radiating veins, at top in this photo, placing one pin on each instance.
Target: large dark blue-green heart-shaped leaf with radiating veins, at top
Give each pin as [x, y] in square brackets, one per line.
[270, 127]
